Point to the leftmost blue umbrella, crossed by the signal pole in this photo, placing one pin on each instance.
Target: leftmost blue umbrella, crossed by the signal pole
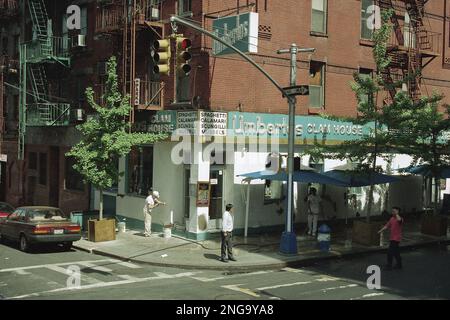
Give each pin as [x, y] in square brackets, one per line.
[298, 176]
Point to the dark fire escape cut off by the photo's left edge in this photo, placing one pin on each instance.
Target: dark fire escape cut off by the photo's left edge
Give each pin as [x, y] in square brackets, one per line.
[9, 10]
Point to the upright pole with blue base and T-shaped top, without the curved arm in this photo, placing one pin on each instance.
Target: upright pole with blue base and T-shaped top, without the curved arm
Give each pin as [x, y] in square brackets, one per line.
[288, 244]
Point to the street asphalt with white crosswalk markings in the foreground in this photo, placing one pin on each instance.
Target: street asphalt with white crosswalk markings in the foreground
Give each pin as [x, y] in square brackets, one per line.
[44, 274]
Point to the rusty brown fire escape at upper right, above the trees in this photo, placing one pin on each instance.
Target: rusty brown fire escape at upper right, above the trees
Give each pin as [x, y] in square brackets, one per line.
[412, 46]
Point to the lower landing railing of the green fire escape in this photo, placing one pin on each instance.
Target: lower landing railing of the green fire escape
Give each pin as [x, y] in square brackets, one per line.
[48, 114]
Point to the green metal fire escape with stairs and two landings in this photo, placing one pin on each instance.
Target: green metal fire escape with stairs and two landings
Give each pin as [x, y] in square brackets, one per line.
[35, 105]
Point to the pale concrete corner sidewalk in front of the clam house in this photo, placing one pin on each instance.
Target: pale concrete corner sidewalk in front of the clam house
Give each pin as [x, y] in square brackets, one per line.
[257, 252]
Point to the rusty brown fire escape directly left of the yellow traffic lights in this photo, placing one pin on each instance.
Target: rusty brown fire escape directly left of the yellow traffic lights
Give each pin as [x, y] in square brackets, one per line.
[124, 21]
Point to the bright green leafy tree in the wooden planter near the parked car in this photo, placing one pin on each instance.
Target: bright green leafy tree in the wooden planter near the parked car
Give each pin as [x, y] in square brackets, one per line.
[107, 136]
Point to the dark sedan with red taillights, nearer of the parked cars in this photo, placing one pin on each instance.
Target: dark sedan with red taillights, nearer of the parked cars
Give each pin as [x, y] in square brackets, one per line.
[32, 225]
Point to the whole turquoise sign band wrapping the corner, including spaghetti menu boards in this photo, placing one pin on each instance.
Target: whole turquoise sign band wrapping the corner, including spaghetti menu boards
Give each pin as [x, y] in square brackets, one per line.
[251, 125]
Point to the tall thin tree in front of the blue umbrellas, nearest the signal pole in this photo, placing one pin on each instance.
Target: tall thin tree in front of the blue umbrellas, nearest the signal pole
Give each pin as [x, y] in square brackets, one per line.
[377, 142]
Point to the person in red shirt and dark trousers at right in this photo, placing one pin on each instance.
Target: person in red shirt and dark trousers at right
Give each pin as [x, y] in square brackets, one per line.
[395, 225]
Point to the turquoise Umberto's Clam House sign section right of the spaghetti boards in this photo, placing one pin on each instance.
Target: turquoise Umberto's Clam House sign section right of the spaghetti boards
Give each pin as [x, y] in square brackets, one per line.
[307, 128]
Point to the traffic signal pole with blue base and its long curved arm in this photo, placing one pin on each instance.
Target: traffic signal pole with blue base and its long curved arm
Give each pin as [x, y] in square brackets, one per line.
[288, 243]
